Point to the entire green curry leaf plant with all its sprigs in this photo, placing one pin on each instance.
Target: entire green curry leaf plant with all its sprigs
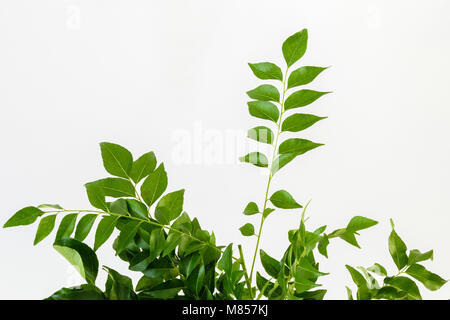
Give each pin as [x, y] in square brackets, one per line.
[175, 258]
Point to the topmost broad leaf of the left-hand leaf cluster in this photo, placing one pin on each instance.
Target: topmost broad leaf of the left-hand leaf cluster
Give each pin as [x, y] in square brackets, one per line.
[116, 159]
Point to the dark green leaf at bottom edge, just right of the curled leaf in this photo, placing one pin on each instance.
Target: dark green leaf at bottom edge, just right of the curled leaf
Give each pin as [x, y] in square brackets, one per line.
[118, 286]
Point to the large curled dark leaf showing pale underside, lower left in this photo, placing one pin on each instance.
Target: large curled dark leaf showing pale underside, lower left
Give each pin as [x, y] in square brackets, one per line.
[80, 256]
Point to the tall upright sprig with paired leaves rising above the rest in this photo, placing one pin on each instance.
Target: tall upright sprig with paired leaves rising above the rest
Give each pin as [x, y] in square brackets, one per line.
[263, 106]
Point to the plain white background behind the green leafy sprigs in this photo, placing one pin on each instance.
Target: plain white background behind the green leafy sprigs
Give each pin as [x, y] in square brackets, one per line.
[75, 73]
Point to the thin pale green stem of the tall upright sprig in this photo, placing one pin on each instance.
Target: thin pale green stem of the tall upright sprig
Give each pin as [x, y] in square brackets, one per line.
[274, 154]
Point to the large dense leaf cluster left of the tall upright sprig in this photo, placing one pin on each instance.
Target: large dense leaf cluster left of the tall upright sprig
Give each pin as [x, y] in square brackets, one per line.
[176, 257]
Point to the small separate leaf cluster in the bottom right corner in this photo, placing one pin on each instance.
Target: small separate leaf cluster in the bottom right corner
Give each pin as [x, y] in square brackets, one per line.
[398, 286]
